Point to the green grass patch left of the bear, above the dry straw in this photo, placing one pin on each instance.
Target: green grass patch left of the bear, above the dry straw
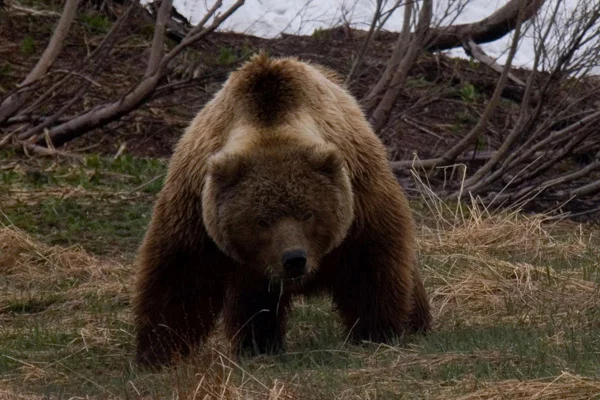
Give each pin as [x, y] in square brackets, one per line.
[100, 204]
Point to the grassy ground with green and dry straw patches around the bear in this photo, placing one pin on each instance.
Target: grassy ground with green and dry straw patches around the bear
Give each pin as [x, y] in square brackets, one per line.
[515, 300]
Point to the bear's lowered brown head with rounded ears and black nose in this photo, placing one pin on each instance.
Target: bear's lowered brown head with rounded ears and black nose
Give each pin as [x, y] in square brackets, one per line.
[278, 209]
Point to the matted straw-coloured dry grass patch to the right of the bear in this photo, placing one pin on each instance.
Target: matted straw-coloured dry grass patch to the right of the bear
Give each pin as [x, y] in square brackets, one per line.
[479, 261]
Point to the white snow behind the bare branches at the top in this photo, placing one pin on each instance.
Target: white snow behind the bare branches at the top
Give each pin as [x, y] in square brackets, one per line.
[270, 18]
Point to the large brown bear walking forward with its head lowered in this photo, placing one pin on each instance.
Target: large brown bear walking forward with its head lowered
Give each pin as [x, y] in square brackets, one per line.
[278, 187]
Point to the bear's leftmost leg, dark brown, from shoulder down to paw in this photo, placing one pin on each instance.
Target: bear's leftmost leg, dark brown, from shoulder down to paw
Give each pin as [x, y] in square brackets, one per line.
[180, 287]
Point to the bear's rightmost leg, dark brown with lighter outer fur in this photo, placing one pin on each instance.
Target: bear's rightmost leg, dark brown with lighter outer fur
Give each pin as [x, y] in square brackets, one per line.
[376, 286]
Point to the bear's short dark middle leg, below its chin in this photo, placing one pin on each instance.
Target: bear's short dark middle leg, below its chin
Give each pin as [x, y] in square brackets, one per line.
[255, 314]
